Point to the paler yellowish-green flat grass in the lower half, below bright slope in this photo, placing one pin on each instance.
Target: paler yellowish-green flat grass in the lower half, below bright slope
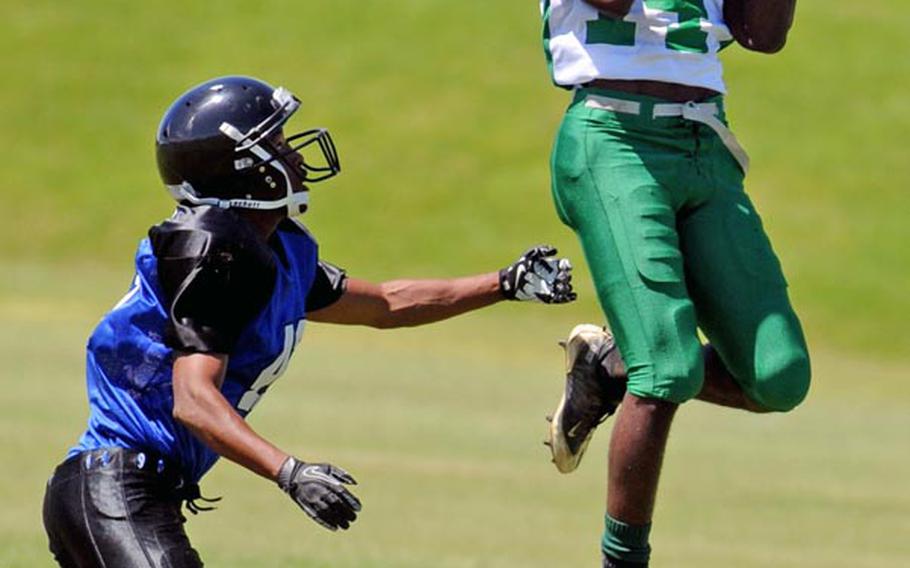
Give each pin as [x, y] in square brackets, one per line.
[442, 427]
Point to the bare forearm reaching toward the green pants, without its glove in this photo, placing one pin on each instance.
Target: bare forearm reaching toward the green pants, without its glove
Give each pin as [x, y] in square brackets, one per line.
[406, 303]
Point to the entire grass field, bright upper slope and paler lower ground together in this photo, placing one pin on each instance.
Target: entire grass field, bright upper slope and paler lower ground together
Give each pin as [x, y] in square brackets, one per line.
[443, 115]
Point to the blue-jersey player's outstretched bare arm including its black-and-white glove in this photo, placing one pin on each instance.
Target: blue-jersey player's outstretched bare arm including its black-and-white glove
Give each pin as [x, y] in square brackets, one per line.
[536, 275]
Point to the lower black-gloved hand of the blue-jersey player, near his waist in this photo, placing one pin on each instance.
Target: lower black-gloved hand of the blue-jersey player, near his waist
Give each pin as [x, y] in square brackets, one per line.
[319, 489]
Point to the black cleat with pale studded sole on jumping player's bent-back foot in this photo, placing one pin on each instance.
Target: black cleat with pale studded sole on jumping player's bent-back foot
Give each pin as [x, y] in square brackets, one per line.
[590, 395]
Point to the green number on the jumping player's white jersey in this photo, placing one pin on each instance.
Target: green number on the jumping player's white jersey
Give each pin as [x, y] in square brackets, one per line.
[685, 35]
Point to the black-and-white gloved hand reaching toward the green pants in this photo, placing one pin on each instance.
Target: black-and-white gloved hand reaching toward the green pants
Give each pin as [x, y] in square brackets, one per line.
[538, 276]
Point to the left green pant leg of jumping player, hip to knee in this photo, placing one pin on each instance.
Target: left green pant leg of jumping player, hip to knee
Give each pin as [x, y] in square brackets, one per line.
[605, 188]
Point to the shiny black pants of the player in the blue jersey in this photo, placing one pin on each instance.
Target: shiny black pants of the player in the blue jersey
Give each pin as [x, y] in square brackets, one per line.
[117, 508]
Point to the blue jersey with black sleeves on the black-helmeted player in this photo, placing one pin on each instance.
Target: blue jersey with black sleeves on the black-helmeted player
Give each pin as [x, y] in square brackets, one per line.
[131, 352]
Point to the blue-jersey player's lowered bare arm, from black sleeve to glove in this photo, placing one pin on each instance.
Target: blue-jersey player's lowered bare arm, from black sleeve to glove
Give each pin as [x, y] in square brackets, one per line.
[200, 406]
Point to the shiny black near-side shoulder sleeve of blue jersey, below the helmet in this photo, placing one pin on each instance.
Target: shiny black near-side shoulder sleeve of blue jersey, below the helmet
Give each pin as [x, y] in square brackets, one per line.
[213, 286]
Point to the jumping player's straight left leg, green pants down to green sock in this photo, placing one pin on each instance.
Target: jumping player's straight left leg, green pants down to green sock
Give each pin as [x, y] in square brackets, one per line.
[626, 222]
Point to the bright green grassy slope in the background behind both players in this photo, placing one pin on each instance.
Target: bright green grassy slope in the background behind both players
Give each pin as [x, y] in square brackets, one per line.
[444, 116]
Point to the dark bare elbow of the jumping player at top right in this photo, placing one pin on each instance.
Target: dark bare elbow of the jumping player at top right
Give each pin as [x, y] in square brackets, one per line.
[760, 25]
